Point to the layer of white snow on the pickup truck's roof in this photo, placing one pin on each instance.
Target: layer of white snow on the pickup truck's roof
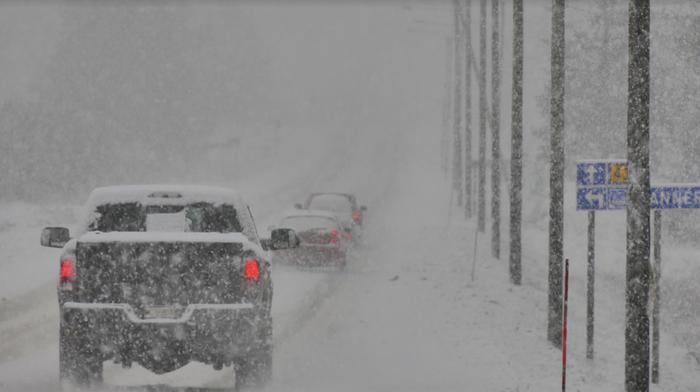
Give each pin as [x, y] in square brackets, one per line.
[164, 194]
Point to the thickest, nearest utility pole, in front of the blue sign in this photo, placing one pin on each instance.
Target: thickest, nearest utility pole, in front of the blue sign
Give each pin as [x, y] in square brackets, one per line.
[638, 222]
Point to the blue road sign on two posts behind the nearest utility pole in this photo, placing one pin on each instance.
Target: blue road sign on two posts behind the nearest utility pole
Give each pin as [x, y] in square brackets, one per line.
[602, 186]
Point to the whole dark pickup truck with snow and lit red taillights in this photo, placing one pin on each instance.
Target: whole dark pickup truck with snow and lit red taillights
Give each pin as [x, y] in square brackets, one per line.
[165, 275]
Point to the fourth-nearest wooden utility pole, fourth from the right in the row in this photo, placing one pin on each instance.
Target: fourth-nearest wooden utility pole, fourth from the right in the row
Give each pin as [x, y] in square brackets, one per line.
[495, 132]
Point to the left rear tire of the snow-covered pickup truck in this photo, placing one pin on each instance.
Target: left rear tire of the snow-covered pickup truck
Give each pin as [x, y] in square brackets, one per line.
[80, 361]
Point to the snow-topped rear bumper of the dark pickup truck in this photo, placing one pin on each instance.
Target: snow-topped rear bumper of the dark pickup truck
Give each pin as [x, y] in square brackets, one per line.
[208, 333]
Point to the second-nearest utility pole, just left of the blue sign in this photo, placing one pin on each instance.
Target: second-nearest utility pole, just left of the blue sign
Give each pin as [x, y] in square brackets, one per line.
[556, 179]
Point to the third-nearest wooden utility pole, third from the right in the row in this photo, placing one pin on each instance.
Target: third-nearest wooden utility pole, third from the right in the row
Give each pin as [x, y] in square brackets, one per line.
[516, 152]
